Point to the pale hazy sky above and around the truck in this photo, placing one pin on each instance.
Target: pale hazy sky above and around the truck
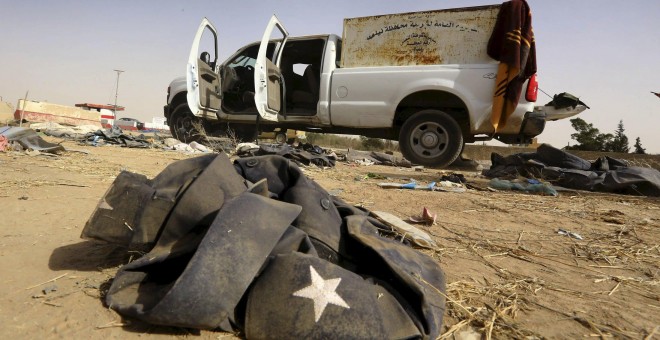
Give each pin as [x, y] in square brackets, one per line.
[65, 52]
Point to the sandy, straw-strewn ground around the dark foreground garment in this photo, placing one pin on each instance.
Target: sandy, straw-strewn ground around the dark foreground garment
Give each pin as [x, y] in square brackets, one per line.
[509, 273]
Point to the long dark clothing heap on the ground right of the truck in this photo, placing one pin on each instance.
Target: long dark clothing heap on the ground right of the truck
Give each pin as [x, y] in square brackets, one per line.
[566, 170]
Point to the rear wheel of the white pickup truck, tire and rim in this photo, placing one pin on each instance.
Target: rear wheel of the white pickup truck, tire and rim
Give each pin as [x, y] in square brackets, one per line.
[431, 138]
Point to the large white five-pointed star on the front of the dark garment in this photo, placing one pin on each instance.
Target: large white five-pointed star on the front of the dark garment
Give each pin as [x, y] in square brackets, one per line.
[322, 292]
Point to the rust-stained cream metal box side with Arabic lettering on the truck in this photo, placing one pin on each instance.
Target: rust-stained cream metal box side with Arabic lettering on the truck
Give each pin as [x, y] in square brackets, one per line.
[452, 36]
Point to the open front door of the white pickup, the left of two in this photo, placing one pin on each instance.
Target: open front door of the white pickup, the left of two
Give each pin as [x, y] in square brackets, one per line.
[202, 76]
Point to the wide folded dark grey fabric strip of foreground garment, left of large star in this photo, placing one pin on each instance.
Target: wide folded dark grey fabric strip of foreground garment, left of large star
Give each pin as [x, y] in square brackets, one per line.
[210, 286]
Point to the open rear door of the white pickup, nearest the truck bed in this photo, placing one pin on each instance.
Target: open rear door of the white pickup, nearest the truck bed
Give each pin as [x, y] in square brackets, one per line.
[268, 81]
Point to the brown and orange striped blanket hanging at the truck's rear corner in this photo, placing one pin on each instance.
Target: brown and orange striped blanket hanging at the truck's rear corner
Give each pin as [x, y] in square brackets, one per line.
[512, 44]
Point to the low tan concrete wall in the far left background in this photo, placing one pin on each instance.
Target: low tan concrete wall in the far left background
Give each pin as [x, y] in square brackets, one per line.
[35, 111]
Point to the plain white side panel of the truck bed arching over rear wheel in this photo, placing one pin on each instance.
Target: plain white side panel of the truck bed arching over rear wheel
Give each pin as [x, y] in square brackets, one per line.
[473, 84]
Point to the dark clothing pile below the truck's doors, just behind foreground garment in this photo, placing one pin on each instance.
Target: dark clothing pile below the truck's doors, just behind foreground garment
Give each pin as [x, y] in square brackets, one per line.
[303, 154]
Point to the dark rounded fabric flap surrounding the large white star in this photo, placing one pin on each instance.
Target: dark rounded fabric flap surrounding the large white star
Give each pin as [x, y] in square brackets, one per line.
[362, 309]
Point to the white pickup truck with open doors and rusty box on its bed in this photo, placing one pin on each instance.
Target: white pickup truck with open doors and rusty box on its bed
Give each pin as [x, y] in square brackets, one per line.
[422, 78]
